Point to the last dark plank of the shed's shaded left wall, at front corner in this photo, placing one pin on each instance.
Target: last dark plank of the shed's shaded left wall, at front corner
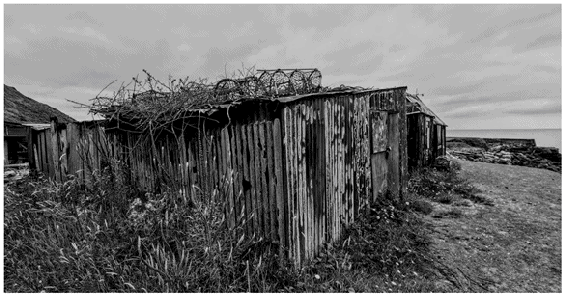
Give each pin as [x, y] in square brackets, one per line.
[279, 192]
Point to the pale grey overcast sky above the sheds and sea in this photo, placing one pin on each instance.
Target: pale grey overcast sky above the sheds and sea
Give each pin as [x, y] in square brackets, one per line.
[478, 66]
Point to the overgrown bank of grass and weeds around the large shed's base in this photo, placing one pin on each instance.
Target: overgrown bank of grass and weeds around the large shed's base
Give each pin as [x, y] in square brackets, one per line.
[59, 238]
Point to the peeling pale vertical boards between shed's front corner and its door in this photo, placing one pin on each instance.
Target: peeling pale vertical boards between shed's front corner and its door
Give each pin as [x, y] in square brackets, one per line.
[326, 149]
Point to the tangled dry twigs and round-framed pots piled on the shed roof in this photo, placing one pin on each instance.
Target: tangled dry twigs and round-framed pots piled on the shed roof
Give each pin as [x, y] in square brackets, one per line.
[150, 103]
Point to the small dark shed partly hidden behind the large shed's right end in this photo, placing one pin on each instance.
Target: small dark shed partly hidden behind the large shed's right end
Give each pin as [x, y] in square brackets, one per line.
[426, 133]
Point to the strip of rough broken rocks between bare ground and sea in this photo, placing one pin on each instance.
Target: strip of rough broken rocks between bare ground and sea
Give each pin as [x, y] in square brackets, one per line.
[477, 150]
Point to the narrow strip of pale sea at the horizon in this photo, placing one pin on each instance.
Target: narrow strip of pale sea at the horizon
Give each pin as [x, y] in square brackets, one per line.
[543, 137]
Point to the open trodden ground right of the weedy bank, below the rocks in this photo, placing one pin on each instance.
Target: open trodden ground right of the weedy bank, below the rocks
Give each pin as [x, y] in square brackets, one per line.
[512, 246]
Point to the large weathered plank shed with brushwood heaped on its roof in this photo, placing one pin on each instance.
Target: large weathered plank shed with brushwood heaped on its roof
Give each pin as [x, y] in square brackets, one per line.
[298, 167]
